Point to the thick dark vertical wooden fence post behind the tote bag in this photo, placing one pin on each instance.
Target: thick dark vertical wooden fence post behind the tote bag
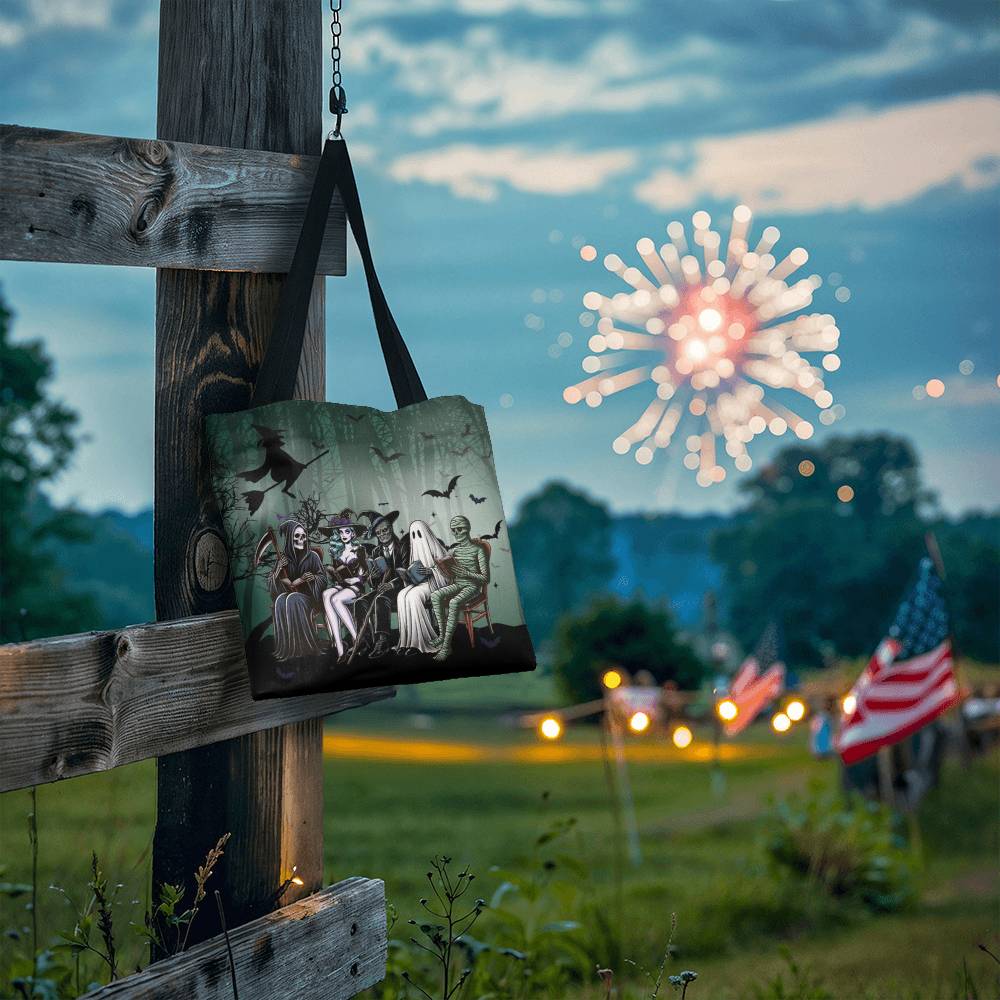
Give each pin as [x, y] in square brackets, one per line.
[248, 74]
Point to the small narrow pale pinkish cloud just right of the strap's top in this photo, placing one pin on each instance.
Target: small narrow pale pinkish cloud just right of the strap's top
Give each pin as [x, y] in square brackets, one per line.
[472, 171]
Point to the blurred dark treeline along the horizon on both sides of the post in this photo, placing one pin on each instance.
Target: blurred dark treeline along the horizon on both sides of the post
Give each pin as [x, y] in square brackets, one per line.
[830, 572]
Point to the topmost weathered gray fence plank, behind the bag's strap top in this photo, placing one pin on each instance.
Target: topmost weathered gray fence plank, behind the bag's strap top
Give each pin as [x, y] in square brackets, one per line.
[95, 199]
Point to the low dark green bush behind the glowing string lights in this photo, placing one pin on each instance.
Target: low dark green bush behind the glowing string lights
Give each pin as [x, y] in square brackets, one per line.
[621, 633]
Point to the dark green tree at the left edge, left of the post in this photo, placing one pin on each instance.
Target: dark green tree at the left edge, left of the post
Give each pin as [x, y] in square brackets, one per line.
[37, 439]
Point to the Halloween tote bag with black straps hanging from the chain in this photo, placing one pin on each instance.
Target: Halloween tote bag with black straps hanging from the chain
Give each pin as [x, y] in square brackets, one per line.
[366, 546]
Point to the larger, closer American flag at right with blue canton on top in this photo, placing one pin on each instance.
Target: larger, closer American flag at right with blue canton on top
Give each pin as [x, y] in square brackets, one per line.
[910, 679]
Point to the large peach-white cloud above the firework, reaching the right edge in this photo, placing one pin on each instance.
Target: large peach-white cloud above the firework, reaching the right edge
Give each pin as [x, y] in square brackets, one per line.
[867, 160]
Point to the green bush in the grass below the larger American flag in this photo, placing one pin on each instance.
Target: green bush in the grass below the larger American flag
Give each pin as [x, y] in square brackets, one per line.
[848, 849]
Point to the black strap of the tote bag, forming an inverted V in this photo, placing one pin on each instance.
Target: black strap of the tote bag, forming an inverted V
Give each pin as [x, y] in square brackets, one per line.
[276, 377]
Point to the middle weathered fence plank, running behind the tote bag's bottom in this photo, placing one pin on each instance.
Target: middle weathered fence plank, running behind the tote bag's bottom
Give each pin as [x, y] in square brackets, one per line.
[91, 702]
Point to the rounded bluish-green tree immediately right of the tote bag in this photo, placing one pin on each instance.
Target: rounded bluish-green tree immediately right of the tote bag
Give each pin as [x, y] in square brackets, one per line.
[563, 542]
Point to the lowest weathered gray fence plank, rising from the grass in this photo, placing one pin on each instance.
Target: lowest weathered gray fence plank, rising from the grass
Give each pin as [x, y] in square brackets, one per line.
[328, 946]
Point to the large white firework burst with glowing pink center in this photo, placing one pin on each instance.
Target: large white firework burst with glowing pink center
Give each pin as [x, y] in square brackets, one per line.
[717, 332]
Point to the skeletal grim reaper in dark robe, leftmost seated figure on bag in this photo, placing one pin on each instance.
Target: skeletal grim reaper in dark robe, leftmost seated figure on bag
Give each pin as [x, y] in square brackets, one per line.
[296, 583]
